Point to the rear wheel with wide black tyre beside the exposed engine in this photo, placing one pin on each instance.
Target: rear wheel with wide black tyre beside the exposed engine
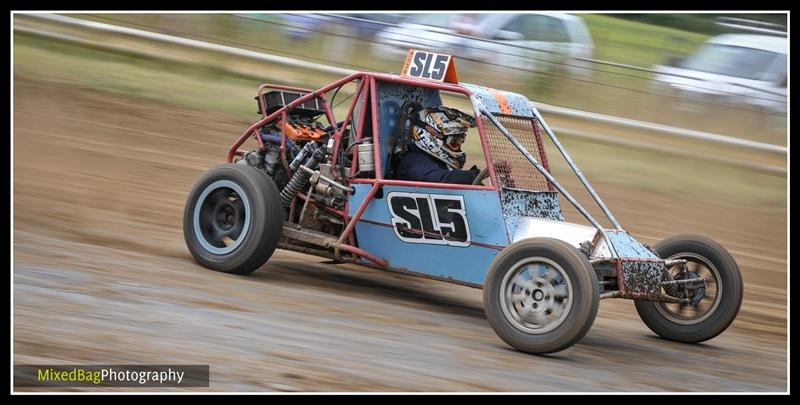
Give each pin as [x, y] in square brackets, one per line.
[224, 210]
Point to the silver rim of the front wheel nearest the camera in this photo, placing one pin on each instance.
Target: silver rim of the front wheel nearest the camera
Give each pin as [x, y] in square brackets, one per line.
[536, 295]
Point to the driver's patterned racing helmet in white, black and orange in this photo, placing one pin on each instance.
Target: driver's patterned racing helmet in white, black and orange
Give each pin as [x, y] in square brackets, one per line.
[440, 131]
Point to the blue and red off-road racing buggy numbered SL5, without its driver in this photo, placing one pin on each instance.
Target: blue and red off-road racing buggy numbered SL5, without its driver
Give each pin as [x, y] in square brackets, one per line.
[325, 187]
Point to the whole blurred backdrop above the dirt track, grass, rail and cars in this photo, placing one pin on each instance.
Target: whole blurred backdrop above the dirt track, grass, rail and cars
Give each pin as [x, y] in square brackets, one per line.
[723, 74]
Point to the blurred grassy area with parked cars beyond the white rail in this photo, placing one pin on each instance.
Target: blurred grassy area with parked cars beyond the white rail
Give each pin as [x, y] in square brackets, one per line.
[594, 62]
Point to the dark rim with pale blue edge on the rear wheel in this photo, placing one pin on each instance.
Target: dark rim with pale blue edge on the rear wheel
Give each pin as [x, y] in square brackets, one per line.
[207, 228]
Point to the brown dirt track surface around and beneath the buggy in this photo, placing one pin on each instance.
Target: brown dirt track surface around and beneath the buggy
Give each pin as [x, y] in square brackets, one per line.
[102, 276]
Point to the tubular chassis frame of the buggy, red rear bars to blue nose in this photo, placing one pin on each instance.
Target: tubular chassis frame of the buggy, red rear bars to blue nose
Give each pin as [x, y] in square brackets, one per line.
[639, 273]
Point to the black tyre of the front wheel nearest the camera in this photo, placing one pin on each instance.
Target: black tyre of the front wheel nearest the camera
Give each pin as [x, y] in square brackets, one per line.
[573, 321]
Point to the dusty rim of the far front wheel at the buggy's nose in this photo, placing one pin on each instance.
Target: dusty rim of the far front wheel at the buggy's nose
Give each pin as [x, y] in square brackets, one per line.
[688, 314]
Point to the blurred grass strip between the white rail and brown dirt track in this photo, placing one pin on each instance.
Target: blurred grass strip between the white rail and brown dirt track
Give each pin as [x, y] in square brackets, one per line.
[207, 89]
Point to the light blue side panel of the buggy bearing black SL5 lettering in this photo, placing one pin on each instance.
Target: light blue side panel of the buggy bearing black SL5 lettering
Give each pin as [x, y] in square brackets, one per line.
[379, 231]
